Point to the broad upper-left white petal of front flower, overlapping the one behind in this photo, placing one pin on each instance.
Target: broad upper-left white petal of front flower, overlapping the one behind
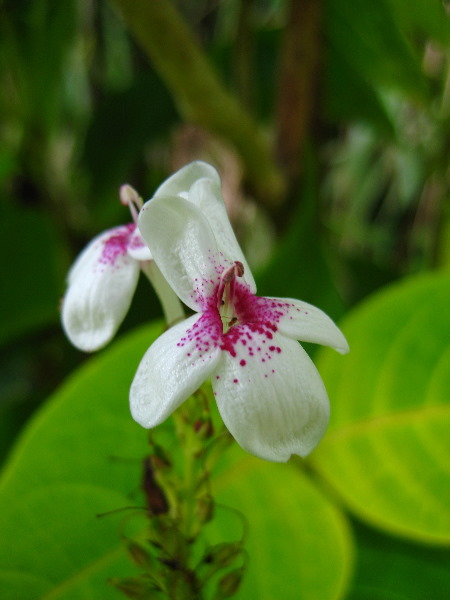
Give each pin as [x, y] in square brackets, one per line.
[183, 246]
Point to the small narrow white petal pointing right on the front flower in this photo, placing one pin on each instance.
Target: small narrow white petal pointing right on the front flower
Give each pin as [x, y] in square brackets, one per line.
[307, 323]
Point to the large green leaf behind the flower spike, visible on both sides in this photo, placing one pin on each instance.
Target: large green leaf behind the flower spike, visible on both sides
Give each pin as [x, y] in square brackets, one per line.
[81, 456]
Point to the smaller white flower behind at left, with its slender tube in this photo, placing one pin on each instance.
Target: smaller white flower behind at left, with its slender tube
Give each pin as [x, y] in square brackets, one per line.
[103, 279]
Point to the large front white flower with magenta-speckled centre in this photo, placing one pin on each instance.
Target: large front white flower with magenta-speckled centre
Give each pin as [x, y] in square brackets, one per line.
[267, 389]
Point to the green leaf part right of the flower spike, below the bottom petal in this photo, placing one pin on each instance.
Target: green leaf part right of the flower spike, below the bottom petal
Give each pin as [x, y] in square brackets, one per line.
[298, 542]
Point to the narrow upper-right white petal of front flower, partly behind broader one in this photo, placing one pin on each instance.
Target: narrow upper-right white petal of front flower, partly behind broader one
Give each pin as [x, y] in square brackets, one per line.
[206, 194]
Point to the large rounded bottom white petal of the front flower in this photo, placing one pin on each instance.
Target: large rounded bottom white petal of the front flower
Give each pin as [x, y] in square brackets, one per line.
[273, 407]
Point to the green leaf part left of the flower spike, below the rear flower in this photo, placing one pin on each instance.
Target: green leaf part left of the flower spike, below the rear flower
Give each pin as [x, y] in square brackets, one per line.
[79, 457]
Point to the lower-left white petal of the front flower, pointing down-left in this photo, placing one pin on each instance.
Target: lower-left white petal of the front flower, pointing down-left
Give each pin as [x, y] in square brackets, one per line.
[173, 368]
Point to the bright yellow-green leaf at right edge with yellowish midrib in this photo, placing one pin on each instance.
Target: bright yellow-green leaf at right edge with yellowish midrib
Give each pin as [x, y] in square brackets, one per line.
[387, 448]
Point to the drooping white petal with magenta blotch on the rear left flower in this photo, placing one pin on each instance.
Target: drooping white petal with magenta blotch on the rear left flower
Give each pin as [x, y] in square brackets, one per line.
[101, 285]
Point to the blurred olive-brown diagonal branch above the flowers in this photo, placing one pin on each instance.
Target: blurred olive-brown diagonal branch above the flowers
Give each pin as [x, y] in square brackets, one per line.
[199, 94]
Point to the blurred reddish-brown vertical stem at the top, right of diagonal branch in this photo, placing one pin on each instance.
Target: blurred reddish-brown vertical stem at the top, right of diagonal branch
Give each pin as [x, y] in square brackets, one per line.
[298, 83]
